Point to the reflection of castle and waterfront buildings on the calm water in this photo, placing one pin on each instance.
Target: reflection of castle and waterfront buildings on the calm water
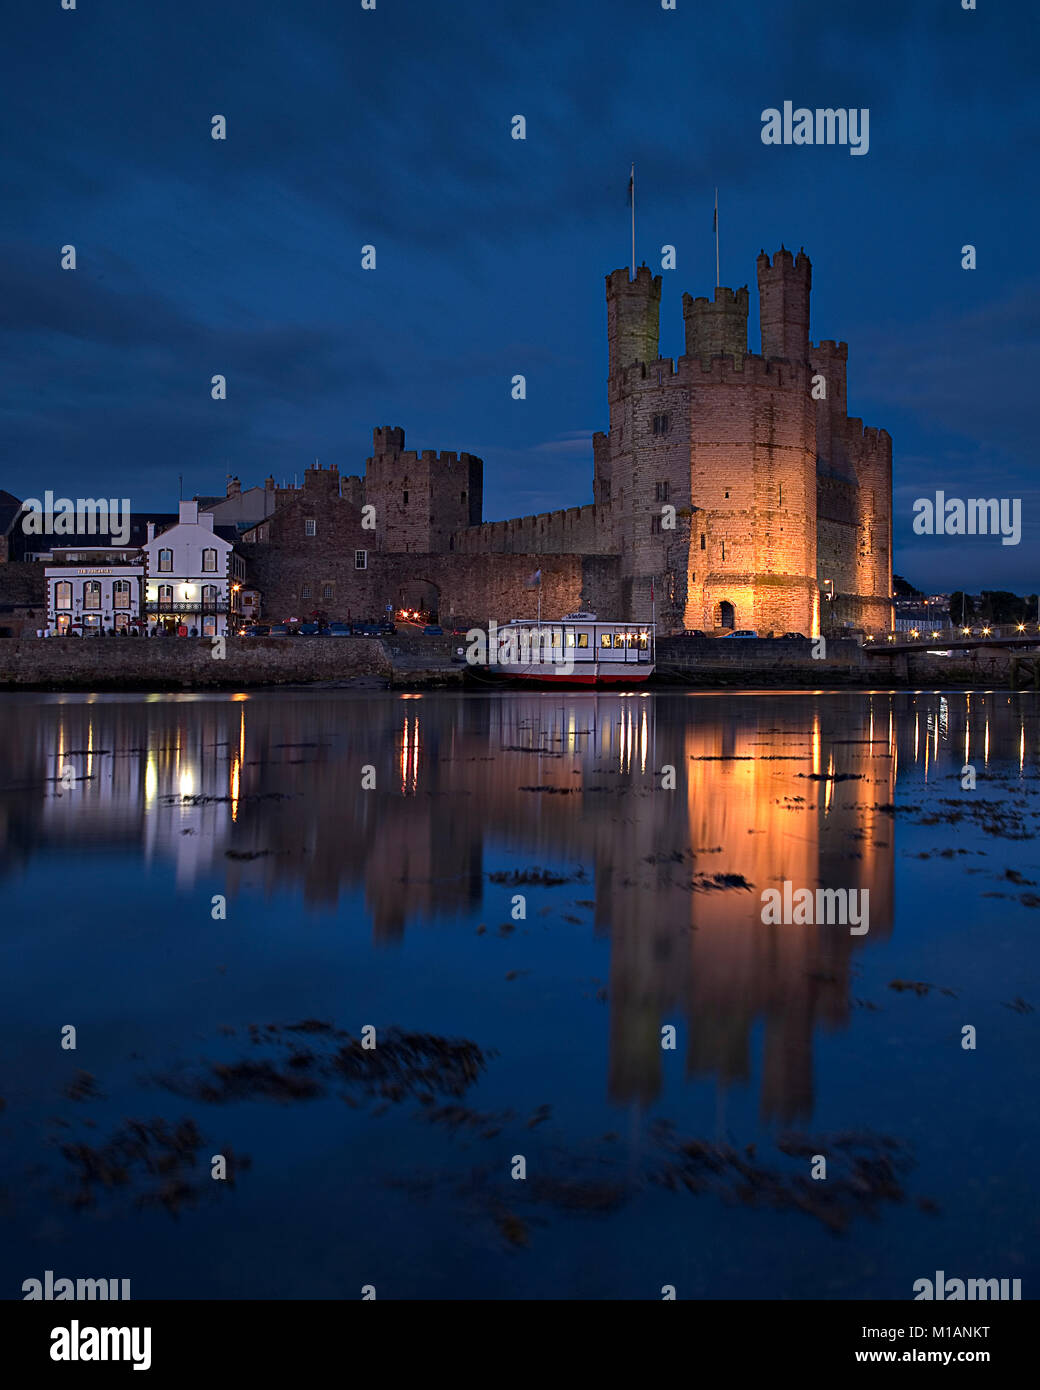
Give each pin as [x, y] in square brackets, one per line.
[403, 800]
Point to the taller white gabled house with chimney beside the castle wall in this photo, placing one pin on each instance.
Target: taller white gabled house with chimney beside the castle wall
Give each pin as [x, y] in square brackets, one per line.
[193, 578]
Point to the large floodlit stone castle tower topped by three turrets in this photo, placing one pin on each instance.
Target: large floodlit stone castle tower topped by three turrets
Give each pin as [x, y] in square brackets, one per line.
[728, 484]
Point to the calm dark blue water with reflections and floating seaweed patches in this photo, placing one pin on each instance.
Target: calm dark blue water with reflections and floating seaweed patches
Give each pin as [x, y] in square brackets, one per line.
[124, 822]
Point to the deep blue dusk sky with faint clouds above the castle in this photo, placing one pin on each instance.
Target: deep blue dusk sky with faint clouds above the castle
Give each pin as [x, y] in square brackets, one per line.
[393, 129]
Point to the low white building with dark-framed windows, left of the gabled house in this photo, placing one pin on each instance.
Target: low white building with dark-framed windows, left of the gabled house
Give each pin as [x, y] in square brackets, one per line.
[94, 591]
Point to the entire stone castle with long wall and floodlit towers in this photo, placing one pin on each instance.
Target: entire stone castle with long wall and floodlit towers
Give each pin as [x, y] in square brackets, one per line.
[732, 487]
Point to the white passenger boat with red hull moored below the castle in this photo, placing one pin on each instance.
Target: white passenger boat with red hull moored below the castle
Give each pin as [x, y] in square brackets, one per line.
[578, 650]
